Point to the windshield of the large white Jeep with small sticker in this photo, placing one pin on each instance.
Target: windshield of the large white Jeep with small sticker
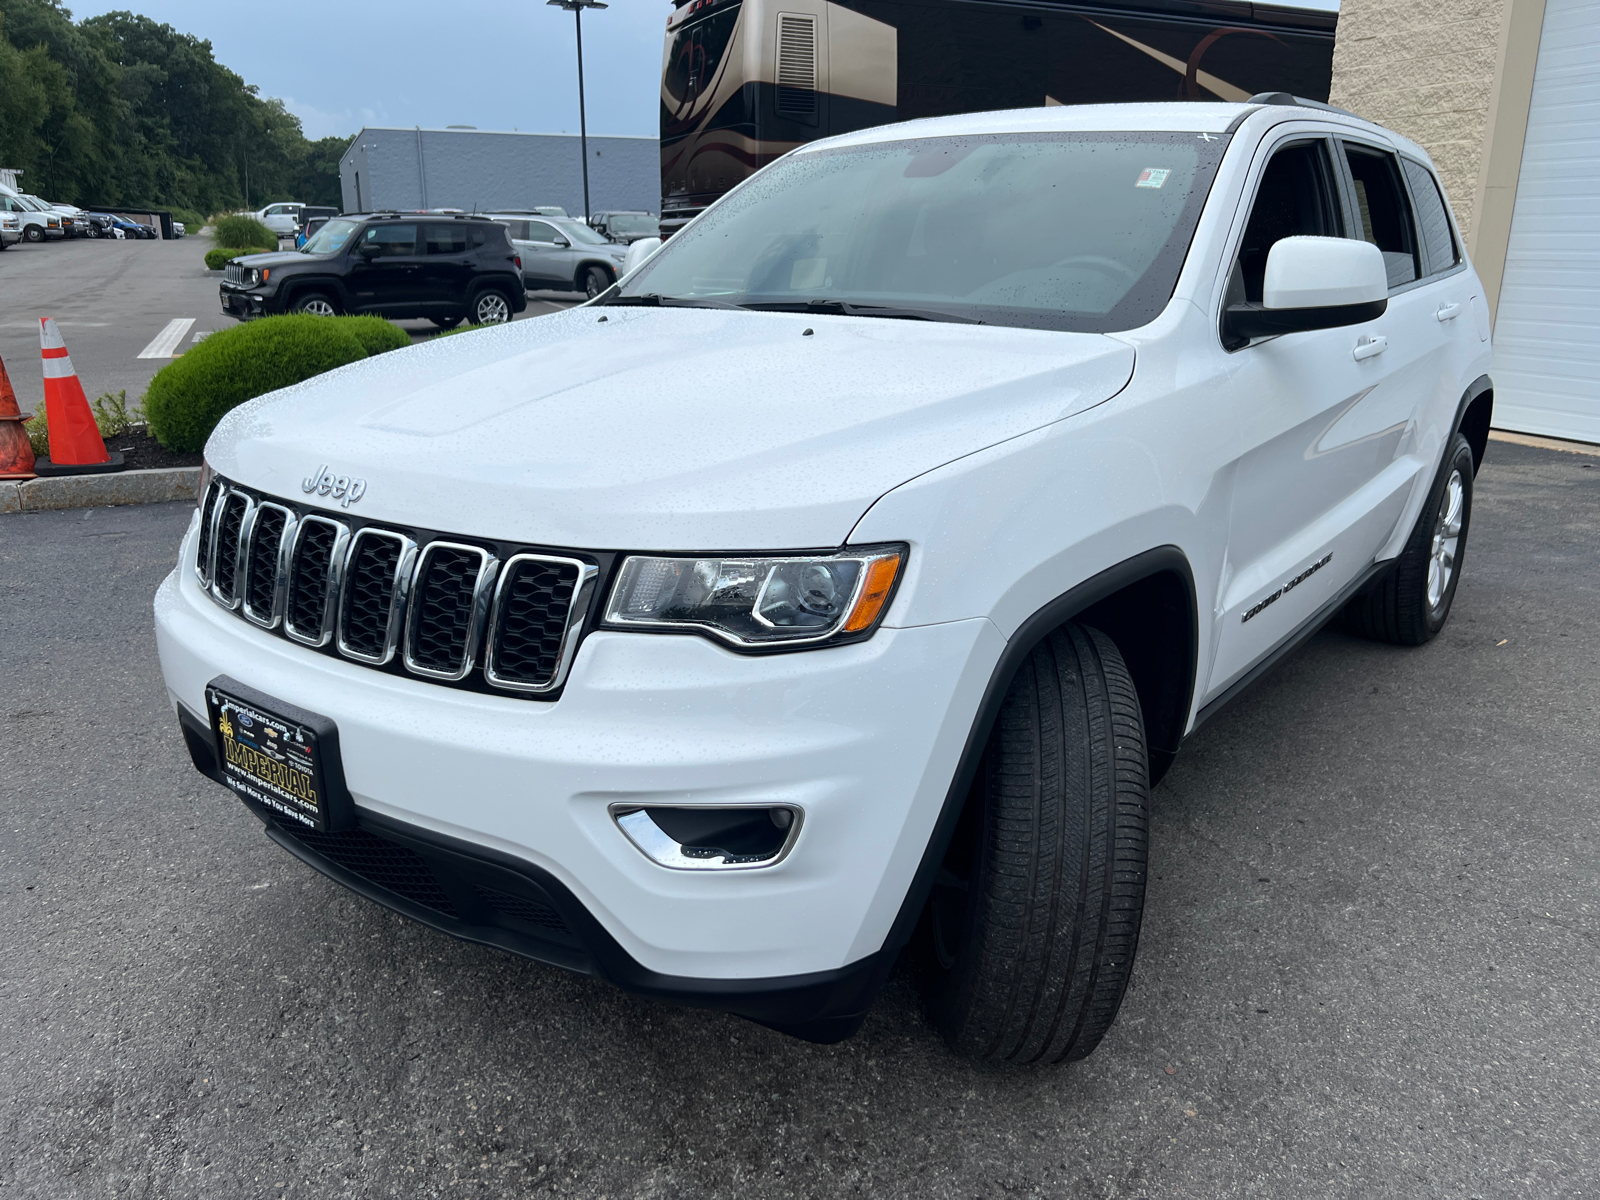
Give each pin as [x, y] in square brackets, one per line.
[1049, 231]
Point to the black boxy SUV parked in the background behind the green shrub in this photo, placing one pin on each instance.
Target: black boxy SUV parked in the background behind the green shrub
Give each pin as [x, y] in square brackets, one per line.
[444, 268]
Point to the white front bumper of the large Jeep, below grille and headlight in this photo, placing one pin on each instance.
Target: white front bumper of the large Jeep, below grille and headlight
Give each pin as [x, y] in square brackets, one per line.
[863, 738]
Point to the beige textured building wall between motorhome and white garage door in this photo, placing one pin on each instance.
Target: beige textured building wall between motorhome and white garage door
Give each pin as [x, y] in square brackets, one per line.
[1455, 78]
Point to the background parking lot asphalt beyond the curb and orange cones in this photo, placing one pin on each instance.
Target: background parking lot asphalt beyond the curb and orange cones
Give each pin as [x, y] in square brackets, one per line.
[116, 302]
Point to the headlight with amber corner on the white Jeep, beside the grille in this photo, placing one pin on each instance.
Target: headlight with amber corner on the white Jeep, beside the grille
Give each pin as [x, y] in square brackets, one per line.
[769, 602]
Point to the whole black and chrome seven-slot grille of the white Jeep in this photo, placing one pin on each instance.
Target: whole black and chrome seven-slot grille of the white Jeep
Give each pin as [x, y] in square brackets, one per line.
[420, 606]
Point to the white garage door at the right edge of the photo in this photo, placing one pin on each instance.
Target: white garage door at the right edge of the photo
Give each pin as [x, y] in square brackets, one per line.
[1548, 326]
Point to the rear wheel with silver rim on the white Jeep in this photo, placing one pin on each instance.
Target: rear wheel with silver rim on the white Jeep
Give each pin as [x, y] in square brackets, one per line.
[1412, 604]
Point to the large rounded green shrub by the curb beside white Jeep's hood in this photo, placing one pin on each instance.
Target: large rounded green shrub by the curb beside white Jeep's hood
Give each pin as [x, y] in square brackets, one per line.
[191, 394]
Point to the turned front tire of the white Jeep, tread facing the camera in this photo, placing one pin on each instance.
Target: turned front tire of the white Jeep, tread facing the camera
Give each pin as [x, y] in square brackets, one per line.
[1031, 938]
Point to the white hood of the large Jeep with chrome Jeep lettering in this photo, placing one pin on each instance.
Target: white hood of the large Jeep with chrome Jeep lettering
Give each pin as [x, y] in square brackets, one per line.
[655, 430]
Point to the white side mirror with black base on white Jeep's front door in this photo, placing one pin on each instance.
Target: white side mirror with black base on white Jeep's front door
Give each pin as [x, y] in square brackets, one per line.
[1313, 284]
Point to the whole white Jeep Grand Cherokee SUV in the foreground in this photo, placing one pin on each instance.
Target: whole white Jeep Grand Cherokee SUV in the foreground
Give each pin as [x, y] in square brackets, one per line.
[855, 567]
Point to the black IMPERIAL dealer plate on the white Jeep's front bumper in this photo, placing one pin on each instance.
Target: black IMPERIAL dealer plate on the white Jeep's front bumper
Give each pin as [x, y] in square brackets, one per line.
[278, 756]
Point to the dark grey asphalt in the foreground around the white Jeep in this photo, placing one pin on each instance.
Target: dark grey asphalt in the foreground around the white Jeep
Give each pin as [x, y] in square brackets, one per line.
[1370, 961]
